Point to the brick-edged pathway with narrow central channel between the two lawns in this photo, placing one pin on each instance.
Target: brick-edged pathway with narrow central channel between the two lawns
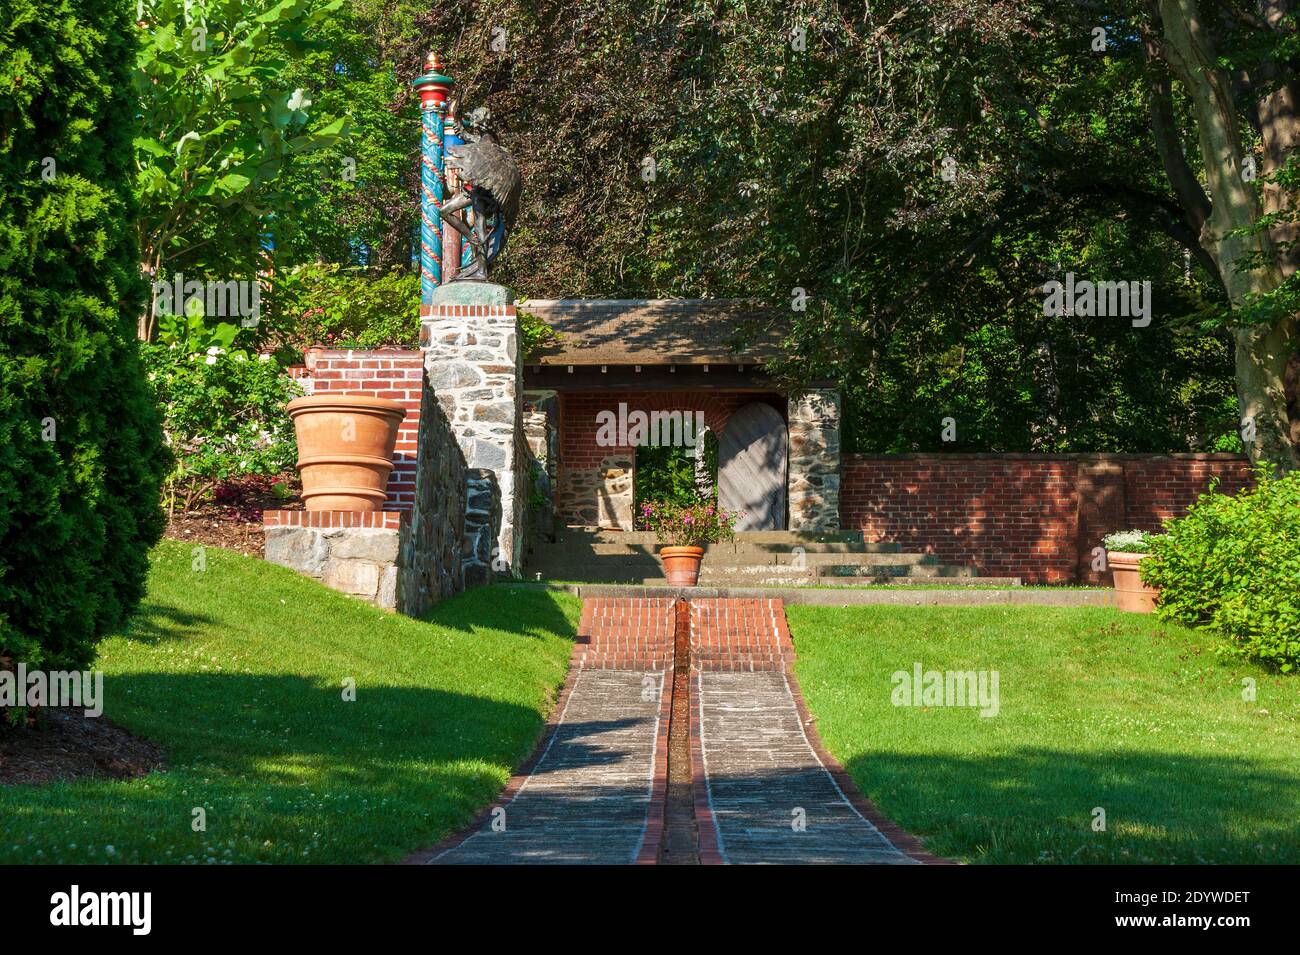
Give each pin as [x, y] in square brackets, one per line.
[760, 787]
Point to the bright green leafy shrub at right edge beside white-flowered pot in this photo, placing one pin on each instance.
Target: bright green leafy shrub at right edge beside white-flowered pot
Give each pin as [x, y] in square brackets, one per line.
[1233, 565]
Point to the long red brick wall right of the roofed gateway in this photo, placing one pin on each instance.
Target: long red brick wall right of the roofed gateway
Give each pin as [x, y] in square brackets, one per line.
[1030, 516]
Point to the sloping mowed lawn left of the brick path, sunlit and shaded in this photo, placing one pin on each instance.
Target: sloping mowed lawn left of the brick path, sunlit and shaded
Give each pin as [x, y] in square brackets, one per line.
[239, 671]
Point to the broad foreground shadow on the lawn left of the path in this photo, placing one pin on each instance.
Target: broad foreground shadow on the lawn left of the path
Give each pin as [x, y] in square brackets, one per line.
[285, 770]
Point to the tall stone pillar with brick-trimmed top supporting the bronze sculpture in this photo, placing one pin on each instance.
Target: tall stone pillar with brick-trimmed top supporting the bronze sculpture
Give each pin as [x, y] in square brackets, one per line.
[470, 337]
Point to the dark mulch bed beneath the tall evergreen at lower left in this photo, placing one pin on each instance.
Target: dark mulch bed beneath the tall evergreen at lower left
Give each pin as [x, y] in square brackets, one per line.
[67, 745]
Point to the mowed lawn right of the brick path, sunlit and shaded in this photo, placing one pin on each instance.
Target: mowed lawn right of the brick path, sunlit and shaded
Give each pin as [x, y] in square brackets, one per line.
[1098, 710]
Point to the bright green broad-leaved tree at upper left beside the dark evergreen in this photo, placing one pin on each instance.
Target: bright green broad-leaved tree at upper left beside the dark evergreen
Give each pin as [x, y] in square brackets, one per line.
[218, 125]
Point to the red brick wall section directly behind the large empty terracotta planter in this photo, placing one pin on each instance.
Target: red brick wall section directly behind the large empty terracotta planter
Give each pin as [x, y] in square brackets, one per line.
[395, 375]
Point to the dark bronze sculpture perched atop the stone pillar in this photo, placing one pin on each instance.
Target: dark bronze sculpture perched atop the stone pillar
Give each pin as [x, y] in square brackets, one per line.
[491, 188]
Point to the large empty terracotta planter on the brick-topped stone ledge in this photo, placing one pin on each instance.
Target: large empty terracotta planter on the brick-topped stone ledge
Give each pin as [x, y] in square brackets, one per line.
[345, 449]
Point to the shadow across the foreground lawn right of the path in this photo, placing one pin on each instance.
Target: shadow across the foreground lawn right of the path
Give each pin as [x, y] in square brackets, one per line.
[1038, 805]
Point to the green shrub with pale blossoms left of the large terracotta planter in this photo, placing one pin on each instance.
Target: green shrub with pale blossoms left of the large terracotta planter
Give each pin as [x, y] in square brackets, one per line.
[224, 411]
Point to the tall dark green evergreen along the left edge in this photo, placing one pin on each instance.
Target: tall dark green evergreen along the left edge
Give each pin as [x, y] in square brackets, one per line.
[81, 454]
